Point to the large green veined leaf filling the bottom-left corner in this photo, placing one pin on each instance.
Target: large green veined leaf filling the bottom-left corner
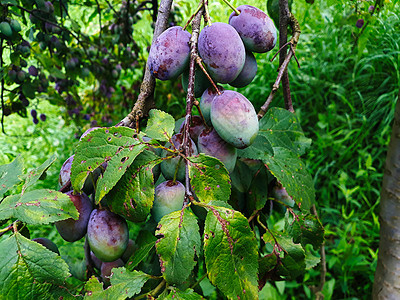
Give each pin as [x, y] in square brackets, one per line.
[27, 269]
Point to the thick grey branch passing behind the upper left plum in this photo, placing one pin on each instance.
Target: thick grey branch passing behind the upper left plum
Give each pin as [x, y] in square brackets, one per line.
[148, 84]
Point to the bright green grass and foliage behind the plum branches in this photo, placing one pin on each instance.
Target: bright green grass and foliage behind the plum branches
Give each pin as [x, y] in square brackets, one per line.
[344, 95]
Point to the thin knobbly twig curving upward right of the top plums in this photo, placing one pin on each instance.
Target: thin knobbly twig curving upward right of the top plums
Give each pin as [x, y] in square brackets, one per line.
[294, 24]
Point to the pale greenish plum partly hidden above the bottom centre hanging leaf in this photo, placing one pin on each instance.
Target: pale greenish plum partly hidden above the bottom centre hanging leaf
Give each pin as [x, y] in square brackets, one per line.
[169, 197]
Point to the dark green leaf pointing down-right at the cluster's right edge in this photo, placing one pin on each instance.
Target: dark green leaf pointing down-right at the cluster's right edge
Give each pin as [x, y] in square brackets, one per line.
[291, 172]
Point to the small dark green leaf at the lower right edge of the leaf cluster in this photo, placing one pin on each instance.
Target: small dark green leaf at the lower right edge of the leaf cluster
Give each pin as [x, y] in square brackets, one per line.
[307, 229]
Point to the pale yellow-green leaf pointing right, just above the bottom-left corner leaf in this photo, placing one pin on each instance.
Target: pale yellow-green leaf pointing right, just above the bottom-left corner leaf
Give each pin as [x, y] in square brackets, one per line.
[38, 207]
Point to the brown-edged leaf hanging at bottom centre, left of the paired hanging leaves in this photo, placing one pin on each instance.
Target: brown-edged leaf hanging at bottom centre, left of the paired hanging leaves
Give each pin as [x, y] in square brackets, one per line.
[178, 244]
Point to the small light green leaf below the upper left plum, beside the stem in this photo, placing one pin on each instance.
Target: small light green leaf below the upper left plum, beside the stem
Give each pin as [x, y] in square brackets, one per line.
[160, 125]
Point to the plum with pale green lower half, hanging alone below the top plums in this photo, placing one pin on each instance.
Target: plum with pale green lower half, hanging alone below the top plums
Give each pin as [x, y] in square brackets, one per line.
[234, 119]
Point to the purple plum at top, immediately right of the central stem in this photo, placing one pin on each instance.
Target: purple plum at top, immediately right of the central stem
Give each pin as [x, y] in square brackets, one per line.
[222, 51]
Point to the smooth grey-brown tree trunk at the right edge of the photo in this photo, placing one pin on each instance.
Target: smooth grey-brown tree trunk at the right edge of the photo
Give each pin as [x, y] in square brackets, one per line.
[387, 275]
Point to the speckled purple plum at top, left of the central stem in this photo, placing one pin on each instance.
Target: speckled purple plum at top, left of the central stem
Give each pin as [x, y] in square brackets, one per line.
[169, 54]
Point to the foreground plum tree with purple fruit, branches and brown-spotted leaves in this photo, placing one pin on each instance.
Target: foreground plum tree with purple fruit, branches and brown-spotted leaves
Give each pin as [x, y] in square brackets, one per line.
[211, 232]
